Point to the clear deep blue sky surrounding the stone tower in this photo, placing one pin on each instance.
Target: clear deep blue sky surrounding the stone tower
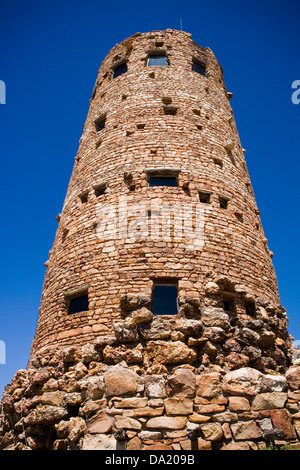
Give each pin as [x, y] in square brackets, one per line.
[50, 54]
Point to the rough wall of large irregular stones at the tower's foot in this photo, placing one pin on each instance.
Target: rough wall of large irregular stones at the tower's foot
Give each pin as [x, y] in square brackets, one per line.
[78, 400]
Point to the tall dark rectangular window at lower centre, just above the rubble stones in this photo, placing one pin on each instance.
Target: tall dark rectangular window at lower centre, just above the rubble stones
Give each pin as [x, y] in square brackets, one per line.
[164, 299]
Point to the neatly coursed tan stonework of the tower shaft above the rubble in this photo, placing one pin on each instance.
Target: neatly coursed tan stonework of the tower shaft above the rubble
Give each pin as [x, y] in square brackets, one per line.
[200, 144]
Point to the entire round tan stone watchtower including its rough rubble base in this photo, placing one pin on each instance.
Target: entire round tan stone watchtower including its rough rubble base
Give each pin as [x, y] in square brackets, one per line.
[160, 305]
